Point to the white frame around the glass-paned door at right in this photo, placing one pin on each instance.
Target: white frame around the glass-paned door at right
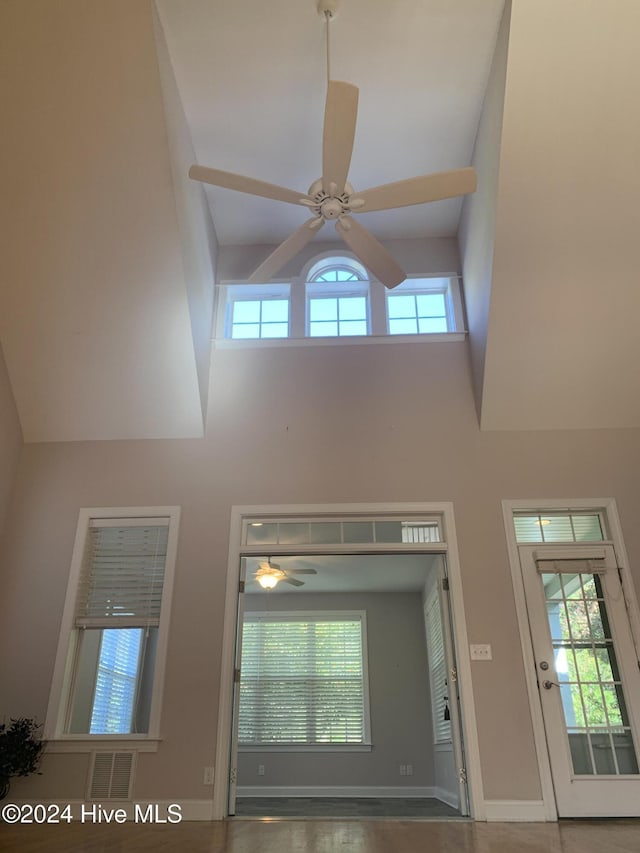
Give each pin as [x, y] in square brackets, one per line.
[608, 507]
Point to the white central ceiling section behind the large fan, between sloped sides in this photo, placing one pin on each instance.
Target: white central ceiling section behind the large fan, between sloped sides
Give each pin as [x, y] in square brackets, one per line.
[252, 80]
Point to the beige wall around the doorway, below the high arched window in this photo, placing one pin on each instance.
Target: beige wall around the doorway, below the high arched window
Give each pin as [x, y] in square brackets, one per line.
[386, 422]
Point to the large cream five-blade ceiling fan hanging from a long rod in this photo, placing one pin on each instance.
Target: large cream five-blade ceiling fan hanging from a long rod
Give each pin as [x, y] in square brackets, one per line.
[332, 198]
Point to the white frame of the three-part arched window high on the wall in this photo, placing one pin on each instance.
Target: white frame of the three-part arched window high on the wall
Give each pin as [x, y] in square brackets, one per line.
[299, 288]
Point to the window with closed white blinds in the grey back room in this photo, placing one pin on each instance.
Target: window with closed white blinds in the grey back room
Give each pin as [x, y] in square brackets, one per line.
[304, 679]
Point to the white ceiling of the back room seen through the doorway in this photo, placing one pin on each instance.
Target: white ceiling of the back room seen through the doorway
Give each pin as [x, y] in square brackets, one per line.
[350, 573]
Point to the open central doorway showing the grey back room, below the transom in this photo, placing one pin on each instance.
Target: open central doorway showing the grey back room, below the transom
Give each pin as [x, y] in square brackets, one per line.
[343, 698]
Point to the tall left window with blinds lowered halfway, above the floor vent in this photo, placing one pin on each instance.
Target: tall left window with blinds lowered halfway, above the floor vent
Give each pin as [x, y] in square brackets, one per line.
[118, 599]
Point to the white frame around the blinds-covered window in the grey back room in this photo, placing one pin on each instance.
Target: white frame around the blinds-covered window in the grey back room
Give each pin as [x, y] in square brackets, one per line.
[327, 616]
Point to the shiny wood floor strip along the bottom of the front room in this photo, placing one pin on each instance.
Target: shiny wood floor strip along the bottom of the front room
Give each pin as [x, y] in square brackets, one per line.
[317, 836]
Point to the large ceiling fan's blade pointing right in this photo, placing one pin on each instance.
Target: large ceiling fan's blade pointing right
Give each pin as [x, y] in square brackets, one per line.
[418, 190]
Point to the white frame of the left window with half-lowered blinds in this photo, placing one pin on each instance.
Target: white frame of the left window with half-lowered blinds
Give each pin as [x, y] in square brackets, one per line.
[60, 696]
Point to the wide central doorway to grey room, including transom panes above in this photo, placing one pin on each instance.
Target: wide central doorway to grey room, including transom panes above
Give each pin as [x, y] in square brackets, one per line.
[350, 683]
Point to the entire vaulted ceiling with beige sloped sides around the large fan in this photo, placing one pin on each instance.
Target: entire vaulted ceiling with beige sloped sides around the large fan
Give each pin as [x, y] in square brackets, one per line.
[108, 250]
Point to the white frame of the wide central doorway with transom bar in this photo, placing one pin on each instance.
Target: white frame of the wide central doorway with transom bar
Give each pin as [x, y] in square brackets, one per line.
[459, 627]
